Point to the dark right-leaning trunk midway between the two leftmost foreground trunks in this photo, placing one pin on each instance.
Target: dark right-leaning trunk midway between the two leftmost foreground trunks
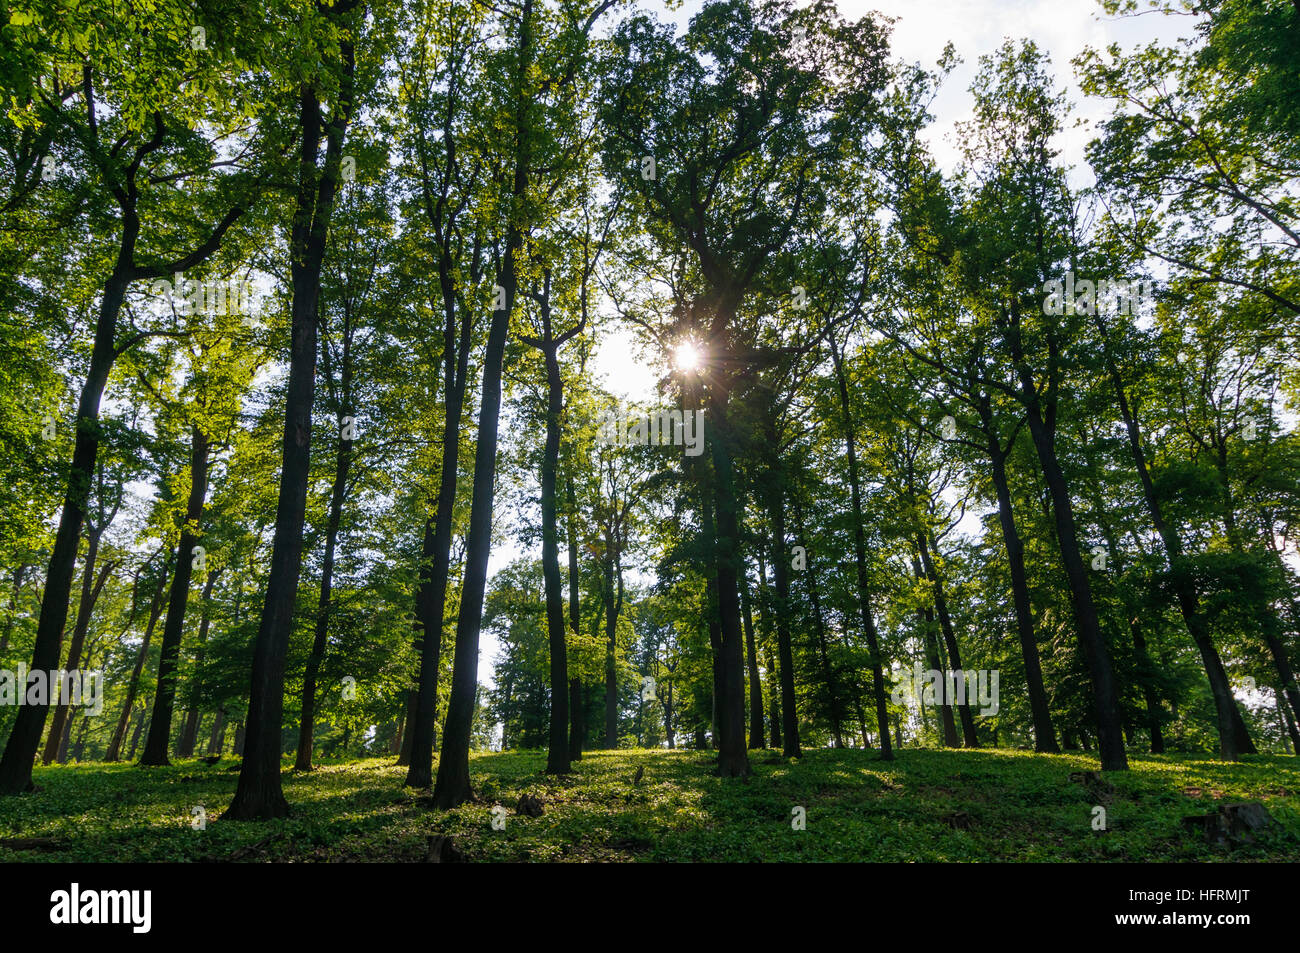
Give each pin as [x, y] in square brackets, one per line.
[164, 699]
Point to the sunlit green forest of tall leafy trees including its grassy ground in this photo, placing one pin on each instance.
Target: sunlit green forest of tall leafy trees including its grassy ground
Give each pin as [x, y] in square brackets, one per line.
[597, 430]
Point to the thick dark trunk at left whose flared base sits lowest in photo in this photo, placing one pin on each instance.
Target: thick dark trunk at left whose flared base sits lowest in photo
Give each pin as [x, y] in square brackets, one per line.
[259, 795]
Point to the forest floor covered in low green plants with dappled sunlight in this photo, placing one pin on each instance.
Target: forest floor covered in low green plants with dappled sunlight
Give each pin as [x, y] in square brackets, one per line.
[929, 805]
